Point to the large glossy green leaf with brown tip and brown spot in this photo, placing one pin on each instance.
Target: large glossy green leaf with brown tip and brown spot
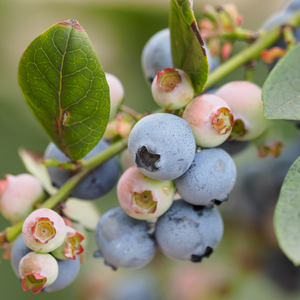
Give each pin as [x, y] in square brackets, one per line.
[64, 85]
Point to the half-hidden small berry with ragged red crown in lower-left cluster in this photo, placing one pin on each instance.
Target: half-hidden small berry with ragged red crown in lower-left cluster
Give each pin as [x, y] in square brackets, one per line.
[71, 247]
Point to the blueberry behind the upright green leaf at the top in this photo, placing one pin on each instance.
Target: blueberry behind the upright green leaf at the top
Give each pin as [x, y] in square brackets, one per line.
[157, 55]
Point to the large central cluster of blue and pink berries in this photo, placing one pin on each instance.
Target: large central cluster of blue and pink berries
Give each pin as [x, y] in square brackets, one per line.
[175, 151]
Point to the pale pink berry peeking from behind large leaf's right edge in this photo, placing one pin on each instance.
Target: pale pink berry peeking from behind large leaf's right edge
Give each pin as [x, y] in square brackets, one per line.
[116, 93]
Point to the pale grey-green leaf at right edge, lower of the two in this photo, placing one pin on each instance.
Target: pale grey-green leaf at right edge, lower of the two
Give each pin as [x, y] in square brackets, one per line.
[287, 214]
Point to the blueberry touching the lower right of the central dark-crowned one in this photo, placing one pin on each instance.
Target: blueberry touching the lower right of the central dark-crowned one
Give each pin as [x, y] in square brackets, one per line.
[211, 176]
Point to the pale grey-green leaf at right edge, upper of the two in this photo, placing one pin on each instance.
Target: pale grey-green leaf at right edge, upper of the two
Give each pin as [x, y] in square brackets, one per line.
[281, 91]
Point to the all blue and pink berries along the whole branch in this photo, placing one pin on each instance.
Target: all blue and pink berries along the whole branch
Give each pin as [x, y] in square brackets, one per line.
[173, 154]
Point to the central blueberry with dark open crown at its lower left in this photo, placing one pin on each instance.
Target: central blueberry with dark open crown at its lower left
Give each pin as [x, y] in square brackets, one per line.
[162, 146]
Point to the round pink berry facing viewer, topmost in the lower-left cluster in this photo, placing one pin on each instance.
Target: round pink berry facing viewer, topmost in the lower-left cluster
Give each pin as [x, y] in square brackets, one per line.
[44, 230]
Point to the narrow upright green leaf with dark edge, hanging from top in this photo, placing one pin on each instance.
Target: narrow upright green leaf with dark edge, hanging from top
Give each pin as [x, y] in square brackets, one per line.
[188, 50]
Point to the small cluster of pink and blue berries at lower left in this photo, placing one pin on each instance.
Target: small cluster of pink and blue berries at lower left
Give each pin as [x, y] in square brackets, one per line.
[45, 257]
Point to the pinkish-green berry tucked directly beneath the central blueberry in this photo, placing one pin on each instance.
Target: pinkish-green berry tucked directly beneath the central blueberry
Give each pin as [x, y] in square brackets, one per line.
[142, 197]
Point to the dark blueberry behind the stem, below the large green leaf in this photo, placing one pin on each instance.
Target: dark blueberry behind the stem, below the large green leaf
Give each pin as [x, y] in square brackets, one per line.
[96, 184]
